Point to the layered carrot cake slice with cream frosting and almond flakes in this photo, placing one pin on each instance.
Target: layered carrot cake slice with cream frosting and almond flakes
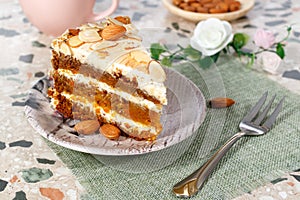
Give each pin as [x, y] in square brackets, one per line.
[101, 70]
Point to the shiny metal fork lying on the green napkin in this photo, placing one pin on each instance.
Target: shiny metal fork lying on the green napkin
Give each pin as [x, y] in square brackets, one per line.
[253, 124]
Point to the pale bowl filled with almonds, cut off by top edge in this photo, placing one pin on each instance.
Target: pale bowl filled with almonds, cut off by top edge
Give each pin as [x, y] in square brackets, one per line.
[197, 10]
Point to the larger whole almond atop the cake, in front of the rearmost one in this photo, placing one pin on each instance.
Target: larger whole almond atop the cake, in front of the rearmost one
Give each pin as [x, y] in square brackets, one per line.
[113, 32]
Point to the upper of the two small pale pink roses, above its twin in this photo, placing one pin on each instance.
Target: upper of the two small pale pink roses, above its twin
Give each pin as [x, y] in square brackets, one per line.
[264, 39]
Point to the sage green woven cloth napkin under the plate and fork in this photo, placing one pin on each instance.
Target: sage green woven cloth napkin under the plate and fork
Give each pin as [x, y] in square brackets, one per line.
[252, 162]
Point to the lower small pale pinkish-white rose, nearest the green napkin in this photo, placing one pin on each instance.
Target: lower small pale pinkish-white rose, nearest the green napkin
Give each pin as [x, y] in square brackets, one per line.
[269, 61]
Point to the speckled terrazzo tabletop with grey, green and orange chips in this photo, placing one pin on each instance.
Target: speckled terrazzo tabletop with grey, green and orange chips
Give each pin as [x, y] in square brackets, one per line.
[29, 168]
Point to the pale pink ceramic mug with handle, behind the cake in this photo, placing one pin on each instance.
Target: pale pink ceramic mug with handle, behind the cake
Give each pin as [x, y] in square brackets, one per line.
[53, 17]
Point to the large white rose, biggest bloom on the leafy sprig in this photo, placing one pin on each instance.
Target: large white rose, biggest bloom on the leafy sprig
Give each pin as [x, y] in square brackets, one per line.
[211, 36]
